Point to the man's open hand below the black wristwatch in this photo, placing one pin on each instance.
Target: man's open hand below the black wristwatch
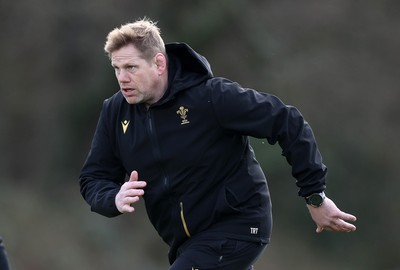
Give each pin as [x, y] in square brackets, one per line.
[329, 217]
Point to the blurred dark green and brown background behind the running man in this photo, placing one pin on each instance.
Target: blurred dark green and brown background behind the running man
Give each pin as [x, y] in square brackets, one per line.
[337, 61]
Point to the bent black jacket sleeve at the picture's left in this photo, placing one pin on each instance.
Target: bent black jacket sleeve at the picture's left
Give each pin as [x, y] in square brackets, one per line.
[102, 174]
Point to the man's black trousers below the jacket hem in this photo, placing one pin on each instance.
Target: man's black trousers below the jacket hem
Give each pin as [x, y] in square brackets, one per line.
[215, 252]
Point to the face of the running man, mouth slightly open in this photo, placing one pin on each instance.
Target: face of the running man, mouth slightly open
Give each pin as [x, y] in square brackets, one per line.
[141, 81]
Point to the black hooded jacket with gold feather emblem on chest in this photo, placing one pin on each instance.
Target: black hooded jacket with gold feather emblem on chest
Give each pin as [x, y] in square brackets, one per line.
[193, 151]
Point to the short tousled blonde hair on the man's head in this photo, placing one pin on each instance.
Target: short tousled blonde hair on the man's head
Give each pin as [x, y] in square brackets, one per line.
[143, 34]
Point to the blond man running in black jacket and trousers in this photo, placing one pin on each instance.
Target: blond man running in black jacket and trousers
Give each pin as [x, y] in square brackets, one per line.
[181, 135]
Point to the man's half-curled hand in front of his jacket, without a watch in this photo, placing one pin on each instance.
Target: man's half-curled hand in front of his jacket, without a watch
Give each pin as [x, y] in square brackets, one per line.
[130, 193]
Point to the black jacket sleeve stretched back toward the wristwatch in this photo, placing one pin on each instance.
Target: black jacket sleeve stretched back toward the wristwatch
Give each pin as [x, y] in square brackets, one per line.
[262, 115]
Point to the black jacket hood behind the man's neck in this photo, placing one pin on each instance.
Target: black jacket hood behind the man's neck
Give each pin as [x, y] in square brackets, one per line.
[186, 67]
